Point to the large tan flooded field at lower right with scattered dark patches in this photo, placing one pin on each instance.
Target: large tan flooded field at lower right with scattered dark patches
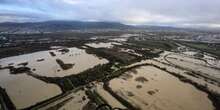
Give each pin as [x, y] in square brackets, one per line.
[159, 91]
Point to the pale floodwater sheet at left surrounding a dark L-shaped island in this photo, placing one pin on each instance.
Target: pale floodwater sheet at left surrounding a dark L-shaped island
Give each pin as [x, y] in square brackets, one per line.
[49, 67]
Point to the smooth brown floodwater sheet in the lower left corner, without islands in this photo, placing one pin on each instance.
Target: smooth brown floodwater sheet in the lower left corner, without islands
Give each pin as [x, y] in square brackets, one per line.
[25, 90]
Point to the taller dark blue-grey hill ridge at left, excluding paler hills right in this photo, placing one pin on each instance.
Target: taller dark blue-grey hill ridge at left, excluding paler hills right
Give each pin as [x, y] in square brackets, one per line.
[58, 26]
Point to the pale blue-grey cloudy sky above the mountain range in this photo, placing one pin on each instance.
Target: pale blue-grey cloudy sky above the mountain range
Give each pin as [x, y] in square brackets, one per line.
[195, 13]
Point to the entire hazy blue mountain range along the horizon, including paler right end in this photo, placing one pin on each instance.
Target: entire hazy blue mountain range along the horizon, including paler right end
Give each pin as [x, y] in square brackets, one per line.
[54, 26]
